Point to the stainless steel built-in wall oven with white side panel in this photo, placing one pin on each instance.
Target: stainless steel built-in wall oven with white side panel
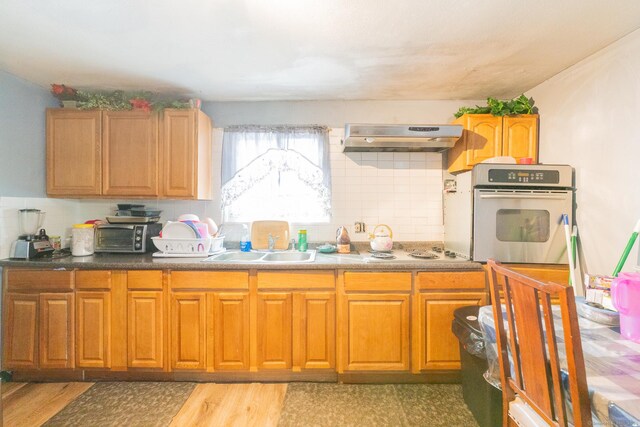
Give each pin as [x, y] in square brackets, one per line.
[511, 213]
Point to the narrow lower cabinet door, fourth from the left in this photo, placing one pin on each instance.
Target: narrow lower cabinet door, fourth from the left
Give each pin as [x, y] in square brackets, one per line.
[145, 331]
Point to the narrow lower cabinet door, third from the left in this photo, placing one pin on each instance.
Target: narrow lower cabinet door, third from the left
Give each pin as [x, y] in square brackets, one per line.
[93, 329]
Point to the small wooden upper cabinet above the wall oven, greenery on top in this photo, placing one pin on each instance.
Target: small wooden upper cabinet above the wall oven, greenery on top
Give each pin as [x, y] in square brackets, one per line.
[487, 136]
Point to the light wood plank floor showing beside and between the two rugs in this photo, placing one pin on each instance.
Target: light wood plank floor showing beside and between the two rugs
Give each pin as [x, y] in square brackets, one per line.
[32, 404]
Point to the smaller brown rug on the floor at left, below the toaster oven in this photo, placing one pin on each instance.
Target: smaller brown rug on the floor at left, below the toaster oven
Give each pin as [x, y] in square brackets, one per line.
[125, 404]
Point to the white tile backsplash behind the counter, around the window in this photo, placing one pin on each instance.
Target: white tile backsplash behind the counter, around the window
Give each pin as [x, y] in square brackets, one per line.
[401, 190]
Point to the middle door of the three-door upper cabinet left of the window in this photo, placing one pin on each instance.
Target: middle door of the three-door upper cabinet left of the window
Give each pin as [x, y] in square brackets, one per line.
[130, 153]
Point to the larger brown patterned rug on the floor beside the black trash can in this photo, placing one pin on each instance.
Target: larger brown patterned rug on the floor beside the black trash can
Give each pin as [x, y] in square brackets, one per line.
[312, 404]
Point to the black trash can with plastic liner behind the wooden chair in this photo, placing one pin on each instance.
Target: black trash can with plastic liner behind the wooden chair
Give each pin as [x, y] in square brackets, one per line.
[483, 399]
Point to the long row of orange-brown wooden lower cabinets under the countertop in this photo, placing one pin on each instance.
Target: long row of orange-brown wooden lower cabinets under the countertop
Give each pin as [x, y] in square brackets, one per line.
[245, 321]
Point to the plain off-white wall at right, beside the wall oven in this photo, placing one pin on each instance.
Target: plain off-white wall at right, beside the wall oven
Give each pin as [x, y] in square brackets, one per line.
[589, 116]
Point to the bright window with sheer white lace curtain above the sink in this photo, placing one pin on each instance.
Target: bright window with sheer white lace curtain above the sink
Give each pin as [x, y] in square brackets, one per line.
[279, 172]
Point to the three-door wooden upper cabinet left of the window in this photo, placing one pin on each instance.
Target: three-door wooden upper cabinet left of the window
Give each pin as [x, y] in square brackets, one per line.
[97, 153]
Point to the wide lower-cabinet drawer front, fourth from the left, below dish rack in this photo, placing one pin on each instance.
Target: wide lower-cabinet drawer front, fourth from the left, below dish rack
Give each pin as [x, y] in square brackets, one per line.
[209, 280]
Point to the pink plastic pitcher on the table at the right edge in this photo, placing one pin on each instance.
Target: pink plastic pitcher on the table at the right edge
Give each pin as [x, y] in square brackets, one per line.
[625, 295]
